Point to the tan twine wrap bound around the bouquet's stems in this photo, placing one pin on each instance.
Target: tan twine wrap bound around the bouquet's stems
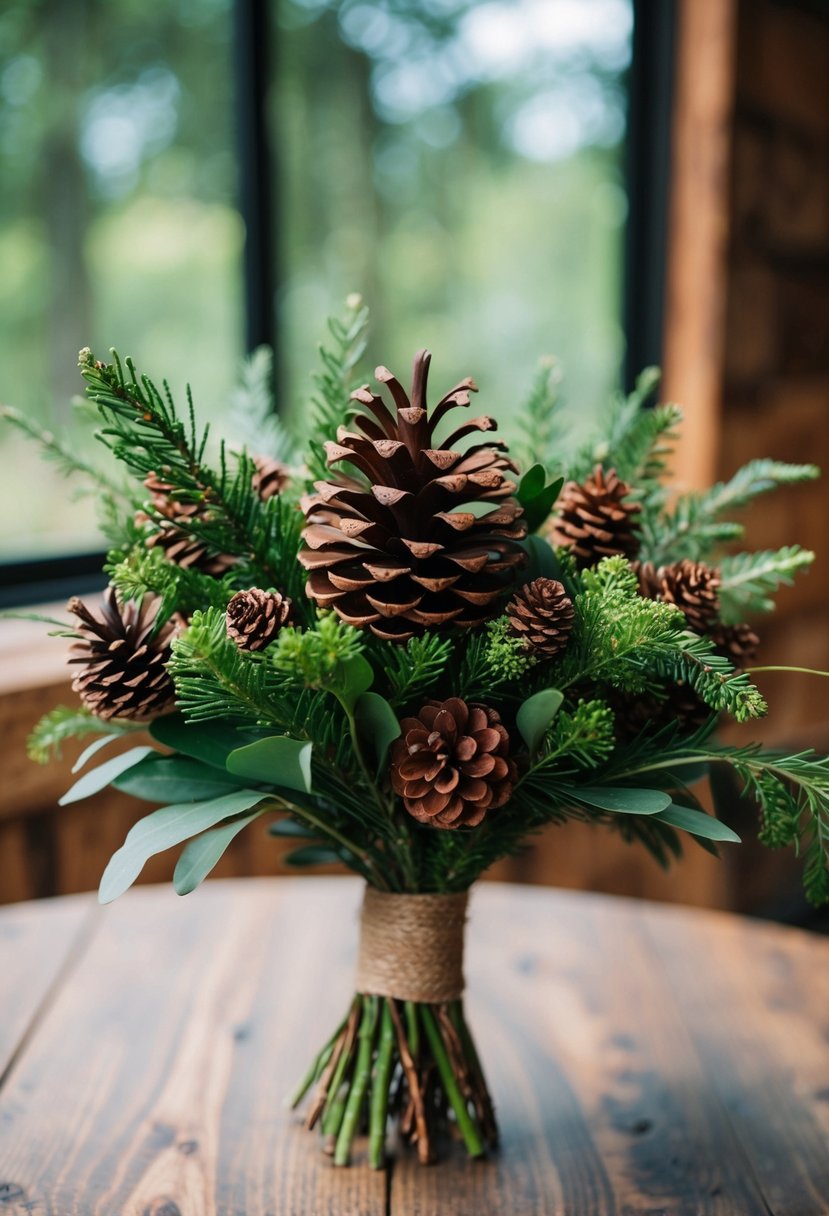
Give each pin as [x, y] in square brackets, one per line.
[411, 947]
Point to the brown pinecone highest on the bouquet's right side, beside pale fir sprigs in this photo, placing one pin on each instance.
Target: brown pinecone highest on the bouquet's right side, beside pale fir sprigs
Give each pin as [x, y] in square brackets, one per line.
[595, 521]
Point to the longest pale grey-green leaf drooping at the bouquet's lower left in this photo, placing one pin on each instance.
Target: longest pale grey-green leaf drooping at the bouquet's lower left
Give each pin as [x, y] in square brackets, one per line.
[166, 827]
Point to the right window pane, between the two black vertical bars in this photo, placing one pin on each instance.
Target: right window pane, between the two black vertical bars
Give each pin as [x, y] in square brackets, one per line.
[460, 165]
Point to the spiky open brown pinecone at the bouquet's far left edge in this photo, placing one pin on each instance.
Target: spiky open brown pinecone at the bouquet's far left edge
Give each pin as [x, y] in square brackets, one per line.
[123, 672]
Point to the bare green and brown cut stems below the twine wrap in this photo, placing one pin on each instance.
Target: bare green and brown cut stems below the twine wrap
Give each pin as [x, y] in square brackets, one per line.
[413, 1061]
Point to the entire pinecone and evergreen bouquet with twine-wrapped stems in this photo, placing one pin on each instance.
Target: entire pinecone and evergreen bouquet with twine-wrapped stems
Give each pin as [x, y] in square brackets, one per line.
[407, 655]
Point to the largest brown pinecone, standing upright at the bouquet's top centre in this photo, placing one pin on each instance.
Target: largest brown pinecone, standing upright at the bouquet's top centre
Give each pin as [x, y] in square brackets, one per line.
[396, 548]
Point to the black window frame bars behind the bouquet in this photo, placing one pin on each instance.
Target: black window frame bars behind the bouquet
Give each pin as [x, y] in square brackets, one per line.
[647, 172]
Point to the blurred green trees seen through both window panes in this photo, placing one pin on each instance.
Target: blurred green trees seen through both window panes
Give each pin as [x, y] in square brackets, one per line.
[459, 164]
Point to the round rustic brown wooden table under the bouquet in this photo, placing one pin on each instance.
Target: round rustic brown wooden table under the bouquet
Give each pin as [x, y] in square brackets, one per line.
[644, 1060]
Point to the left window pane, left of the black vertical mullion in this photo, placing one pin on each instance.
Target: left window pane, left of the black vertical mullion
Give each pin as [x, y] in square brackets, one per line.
[117, 223]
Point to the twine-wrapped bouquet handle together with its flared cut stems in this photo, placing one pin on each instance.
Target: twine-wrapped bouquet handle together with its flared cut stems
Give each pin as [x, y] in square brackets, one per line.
[405, 1048]
